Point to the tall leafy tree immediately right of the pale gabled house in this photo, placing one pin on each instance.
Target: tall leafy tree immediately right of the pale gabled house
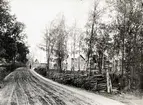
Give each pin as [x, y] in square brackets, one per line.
[98, 40]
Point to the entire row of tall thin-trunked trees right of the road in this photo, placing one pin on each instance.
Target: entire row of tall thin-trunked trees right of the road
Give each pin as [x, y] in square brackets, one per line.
[116, 42]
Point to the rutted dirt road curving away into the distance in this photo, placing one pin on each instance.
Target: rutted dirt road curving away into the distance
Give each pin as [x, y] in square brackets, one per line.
[26, 87]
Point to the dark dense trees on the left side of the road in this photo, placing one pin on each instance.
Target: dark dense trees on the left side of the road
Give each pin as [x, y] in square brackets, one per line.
[12, 46]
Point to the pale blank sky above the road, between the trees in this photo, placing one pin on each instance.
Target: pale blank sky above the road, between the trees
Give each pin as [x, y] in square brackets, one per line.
[36, 14]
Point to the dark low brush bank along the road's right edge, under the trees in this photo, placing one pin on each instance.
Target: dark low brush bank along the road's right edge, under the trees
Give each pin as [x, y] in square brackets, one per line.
[78, 80]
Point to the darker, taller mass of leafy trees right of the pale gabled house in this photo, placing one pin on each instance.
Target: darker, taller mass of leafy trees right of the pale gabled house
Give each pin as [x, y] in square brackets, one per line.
[122, 38]
